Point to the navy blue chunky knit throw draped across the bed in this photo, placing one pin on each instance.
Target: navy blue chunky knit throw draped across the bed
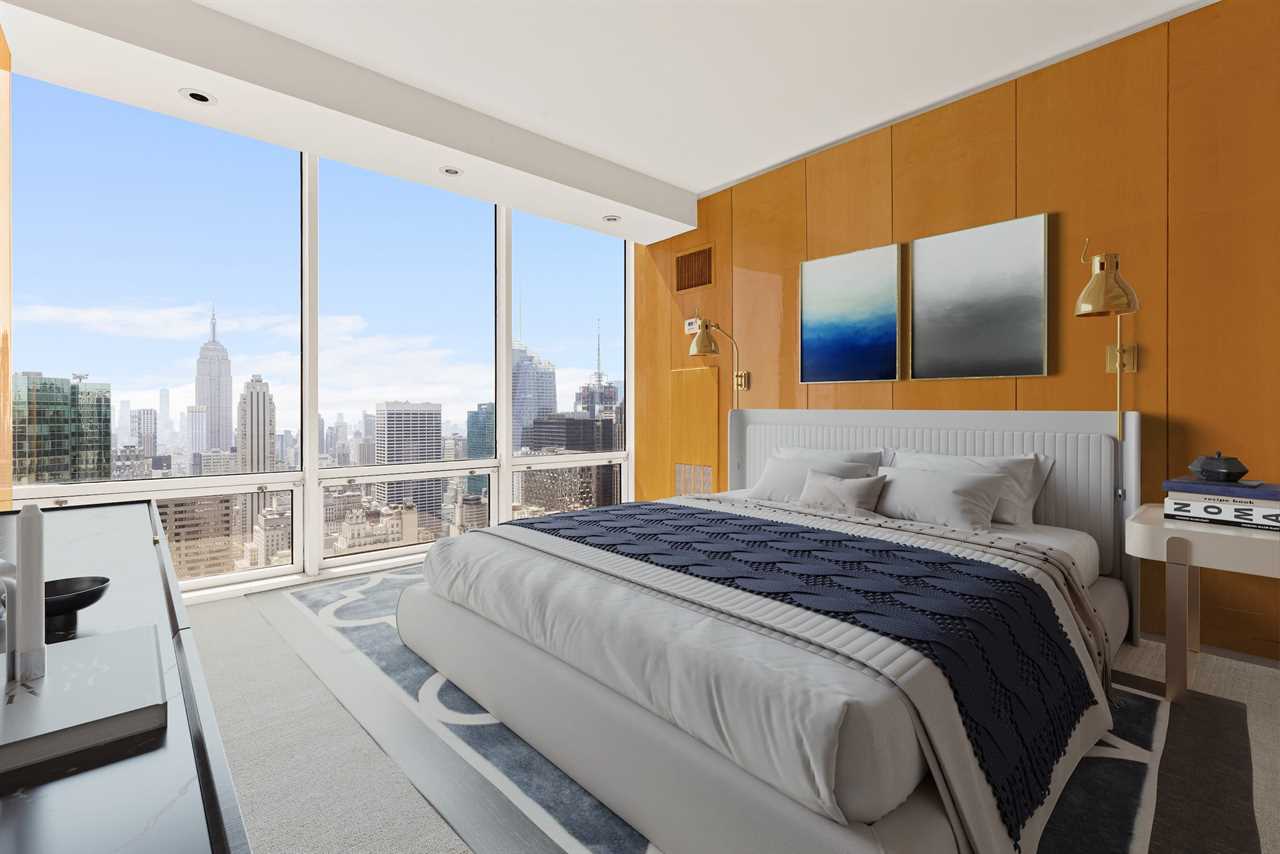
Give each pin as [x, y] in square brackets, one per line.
[1017, 681]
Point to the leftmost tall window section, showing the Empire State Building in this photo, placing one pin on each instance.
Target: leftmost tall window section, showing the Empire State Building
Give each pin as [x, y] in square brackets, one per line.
[157, 321]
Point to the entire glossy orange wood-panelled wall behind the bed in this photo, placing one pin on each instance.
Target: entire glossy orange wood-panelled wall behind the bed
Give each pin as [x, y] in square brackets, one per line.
[1160, 147]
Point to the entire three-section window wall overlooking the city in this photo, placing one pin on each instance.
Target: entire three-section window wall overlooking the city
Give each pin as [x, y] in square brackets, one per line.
[301, 362]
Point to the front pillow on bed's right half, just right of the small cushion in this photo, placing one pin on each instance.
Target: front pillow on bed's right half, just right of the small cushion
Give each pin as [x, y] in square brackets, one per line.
[953, 499]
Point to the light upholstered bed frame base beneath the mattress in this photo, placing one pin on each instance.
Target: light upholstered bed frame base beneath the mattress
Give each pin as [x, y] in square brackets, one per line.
[684, 797]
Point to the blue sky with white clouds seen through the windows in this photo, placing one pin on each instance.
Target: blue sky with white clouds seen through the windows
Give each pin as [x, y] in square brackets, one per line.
[130, 226]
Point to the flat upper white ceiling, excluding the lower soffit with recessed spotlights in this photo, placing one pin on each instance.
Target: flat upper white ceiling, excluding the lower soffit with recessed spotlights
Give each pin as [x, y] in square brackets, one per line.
[698, 93]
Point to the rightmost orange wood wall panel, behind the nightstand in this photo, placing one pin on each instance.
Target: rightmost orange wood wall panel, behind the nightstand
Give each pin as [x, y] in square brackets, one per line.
[1224, 287]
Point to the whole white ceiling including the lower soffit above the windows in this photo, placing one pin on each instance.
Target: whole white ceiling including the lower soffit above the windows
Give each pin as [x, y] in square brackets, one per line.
[573, 109]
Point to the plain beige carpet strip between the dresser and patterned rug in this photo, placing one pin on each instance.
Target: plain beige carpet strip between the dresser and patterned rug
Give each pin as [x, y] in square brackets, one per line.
[310, 779]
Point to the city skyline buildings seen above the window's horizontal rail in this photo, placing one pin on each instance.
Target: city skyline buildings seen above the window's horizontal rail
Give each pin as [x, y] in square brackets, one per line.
[94, 437]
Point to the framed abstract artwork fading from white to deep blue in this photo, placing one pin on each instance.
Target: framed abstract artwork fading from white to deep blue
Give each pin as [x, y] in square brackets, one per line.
[849, 317]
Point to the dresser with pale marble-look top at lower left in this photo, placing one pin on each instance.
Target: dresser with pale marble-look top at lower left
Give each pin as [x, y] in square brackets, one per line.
[175, 793]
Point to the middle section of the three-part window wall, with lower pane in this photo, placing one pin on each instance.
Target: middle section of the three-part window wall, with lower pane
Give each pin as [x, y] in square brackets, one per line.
[408, 355]
